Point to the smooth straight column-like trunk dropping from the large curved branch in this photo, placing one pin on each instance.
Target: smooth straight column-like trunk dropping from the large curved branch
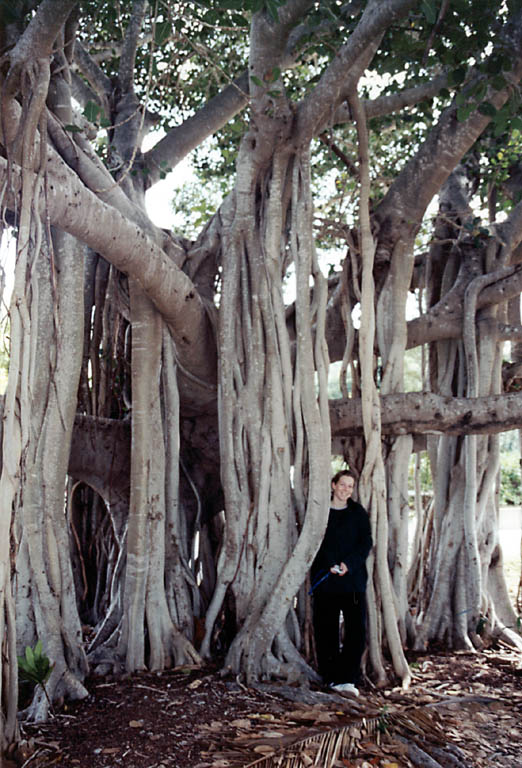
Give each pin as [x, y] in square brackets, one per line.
[145, 604]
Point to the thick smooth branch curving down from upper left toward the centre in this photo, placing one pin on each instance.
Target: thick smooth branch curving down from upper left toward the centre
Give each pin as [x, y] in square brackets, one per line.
[68, 204]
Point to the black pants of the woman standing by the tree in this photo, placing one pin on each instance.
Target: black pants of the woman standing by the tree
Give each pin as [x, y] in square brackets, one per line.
[340, 664]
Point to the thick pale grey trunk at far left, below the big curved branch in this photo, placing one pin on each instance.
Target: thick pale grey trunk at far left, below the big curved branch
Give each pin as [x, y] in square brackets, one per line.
[45, 594]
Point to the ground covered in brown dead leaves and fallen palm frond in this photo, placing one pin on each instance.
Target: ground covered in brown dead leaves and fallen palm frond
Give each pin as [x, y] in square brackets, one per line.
[462, 709]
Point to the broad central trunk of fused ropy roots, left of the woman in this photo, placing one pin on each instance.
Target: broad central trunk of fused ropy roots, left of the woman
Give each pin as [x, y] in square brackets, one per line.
[274, 427]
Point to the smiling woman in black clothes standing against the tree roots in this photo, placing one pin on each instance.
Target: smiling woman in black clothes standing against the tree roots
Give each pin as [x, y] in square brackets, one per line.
[339, 571]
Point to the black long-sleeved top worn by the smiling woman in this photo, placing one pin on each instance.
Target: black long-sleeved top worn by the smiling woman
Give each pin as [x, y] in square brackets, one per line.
[348, 539]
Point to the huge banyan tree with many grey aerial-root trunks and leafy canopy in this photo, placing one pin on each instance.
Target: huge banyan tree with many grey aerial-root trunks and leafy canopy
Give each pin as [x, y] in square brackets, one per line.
[167, 428]
